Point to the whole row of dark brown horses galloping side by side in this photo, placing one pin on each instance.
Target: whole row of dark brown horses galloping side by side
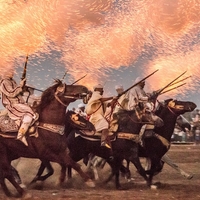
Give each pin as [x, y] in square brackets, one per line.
[56, 127]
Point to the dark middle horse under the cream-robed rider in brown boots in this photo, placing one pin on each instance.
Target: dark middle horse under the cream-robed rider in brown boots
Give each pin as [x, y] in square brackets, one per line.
[81, 145]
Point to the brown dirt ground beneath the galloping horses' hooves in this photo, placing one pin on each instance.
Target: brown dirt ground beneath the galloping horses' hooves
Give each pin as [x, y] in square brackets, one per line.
[172, 185]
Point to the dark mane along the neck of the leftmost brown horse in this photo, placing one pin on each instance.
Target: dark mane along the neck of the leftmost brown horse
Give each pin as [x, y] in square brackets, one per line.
[48, 95]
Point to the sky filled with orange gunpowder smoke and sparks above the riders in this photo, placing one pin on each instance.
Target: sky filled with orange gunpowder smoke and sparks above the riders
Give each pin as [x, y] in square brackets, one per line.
[113, 42]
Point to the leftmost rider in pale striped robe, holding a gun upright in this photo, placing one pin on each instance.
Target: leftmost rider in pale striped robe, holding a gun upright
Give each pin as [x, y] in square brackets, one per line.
[12, 100]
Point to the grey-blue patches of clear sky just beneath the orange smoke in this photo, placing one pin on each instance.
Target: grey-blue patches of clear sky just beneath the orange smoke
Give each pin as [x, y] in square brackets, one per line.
[42, 75]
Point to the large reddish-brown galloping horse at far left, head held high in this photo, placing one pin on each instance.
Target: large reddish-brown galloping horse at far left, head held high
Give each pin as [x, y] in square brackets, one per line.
[49, 142]
